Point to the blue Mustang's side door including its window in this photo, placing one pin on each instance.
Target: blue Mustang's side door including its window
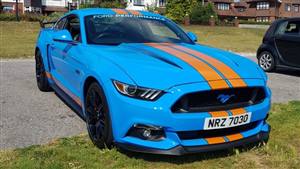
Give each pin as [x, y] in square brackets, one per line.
[66, 59]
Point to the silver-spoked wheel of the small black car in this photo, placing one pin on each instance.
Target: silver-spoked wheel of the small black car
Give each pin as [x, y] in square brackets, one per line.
[266, 61]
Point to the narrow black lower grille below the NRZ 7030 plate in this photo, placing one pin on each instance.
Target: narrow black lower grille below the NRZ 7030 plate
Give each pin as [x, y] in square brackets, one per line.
[190, 135]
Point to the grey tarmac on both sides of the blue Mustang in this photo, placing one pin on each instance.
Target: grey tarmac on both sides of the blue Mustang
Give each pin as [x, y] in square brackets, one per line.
[29, 117]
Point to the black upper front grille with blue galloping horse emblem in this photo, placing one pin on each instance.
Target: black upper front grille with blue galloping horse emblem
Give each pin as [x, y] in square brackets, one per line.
[216, 100]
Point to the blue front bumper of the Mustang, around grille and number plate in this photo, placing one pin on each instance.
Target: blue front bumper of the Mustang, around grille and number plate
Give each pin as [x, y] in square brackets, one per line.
[126, 112]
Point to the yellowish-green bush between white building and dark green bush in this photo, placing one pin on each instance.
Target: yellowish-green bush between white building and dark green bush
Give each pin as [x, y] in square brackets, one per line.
[177, 9]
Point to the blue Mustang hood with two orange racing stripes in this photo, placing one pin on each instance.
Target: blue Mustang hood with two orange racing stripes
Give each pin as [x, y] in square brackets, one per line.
[150, 66]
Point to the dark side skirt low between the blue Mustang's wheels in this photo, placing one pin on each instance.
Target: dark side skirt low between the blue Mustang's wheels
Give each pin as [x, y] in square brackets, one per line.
[68, 100]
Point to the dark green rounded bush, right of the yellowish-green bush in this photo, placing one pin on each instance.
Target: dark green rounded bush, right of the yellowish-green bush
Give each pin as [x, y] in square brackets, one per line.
[201, 14]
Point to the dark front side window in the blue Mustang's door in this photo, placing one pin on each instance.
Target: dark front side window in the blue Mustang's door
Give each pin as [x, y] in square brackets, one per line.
[73, 26]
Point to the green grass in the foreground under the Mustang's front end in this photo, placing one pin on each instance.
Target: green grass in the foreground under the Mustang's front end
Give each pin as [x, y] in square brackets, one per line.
[282, 151]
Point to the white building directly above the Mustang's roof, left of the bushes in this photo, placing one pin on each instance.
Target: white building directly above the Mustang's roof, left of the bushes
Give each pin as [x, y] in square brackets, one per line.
[145, 4]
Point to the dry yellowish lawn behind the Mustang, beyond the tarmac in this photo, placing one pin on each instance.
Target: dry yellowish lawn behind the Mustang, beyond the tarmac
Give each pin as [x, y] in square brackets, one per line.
[18, 39]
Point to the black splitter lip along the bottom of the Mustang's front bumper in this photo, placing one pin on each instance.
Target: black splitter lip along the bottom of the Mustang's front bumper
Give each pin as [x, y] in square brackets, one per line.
[181, 150]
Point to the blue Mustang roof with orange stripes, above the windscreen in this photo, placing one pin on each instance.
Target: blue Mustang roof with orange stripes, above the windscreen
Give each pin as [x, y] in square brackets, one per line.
[108, 11]
